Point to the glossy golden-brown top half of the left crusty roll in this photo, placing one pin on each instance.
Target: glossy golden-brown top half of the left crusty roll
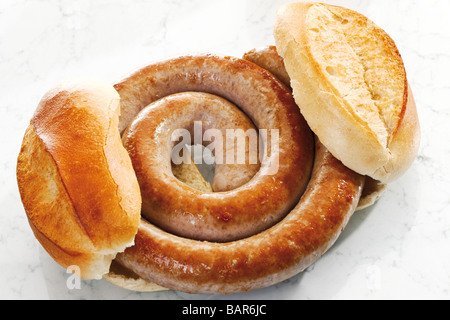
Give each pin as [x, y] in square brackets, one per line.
[76, 180]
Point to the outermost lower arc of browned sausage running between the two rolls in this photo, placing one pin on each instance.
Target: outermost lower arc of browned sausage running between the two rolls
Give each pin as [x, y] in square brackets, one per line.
[259, 261]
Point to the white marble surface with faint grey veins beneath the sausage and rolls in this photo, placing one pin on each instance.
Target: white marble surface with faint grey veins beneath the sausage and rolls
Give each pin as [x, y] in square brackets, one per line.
[398, 249]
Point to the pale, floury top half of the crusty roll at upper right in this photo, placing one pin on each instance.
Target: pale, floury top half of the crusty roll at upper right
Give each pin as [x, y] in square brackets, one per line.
[350, 83]
